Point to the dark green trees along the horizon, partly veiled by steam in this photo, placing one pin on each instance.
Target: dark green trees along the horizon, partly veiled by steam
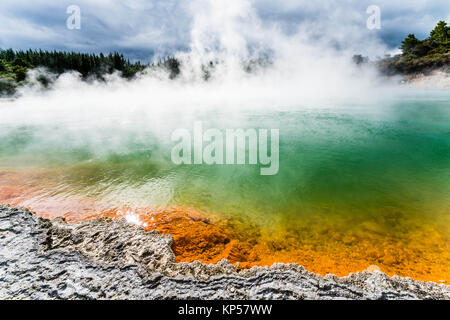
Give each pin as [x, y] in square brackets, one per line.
[418, 56]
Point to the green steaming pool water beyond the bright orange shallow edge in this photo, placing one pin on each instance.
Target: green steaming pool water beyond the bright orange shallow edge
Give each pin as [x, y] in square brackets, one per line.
[387, 162]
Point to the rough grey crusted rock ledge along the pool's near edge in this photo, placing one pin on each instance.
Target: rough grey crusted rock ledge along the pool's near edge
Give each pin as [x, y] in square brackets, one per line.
[105, 259]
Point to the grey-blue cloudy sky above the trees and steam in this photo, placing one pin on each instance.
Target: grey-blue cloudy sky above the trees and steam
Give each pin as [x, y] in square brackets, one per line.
[139, 28]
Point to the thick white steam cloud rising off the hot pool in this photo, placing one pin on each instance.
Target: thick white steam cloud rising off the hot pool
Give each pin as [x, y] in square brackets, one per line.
[304, 71]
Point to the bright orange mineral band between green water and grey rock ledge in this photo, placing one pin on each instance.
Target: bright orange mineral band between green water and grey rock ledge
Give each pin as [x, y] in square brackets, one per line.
[319, 247]
